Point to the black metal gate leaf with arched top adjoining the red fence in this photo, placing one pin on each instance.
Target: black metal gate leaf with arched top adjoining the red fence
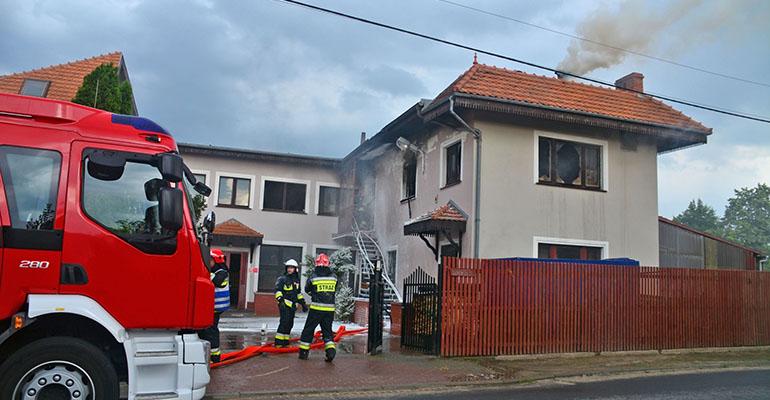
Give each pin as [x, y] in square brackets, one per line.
[420, 318]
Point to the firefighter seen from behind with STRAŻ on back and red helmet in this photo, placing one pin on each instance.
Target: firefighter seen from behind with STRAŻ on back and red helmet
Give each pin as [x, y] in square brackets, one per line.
[322, 287]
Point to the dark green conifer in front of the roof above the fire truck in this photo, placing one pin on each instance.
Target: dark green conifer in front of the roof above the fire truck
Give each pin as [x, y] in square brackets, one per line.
[103, 89]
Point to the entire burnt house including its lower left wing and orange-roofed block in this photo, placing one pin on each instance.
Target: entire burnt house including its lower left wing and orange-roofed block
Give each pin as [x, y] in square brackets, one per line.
[501, 163]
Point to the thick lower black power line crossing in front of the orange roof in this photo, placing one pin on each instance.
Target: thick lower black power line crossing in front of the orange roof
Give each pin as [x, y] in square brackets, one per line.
[519, 61]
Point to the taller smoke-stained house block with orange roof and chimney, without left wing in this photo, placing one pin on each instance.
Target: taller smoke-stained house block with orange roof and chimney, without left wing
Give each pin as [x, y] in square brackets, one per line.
[504, 163]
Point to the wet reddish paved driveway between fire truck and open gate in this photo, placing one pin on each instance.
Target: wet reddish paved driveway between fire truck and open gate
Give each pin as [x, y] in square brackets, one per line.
[285, 374]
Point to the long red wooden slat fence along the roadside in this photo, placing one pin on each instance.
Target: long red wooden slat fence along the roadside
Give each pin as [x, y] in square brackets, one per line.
[494, 307]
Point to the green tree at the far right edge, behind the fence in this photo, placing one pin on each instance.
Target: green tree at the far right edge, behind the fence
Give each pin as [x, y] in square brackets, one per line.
[747, 217]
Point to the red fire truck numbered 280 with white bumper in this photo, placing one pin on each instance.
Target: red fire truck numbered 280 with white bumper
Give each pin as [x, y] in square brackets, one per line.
[102, 269]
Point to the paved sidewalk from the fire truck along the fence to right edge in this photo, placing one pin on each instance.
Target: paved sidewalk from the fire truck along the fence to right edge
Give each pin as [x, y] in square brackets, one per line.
[395, 371]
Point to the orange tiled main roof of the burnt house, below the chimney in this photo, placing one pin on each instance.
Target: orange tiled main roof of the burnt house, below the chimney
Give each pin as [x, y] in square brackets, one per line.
[489, 81]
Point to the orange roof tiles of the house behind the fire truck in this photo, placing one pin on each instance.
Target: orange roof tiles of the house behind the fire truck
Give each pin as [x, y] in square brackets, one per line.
[65, 79]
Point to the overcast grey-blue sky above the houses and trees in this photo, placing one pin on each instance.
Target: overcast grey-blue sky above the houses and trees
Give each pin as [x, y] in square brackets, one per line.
[265, 75]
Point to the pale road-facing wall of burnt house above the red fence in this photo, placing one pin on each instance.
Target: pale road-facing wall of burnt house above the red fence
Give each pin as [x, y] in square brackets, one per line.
[515, 210]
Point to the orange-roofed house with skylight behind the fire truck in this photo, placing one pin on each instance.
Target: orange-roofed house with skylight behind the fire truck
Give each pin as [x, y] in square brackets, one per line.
[62, 81]
